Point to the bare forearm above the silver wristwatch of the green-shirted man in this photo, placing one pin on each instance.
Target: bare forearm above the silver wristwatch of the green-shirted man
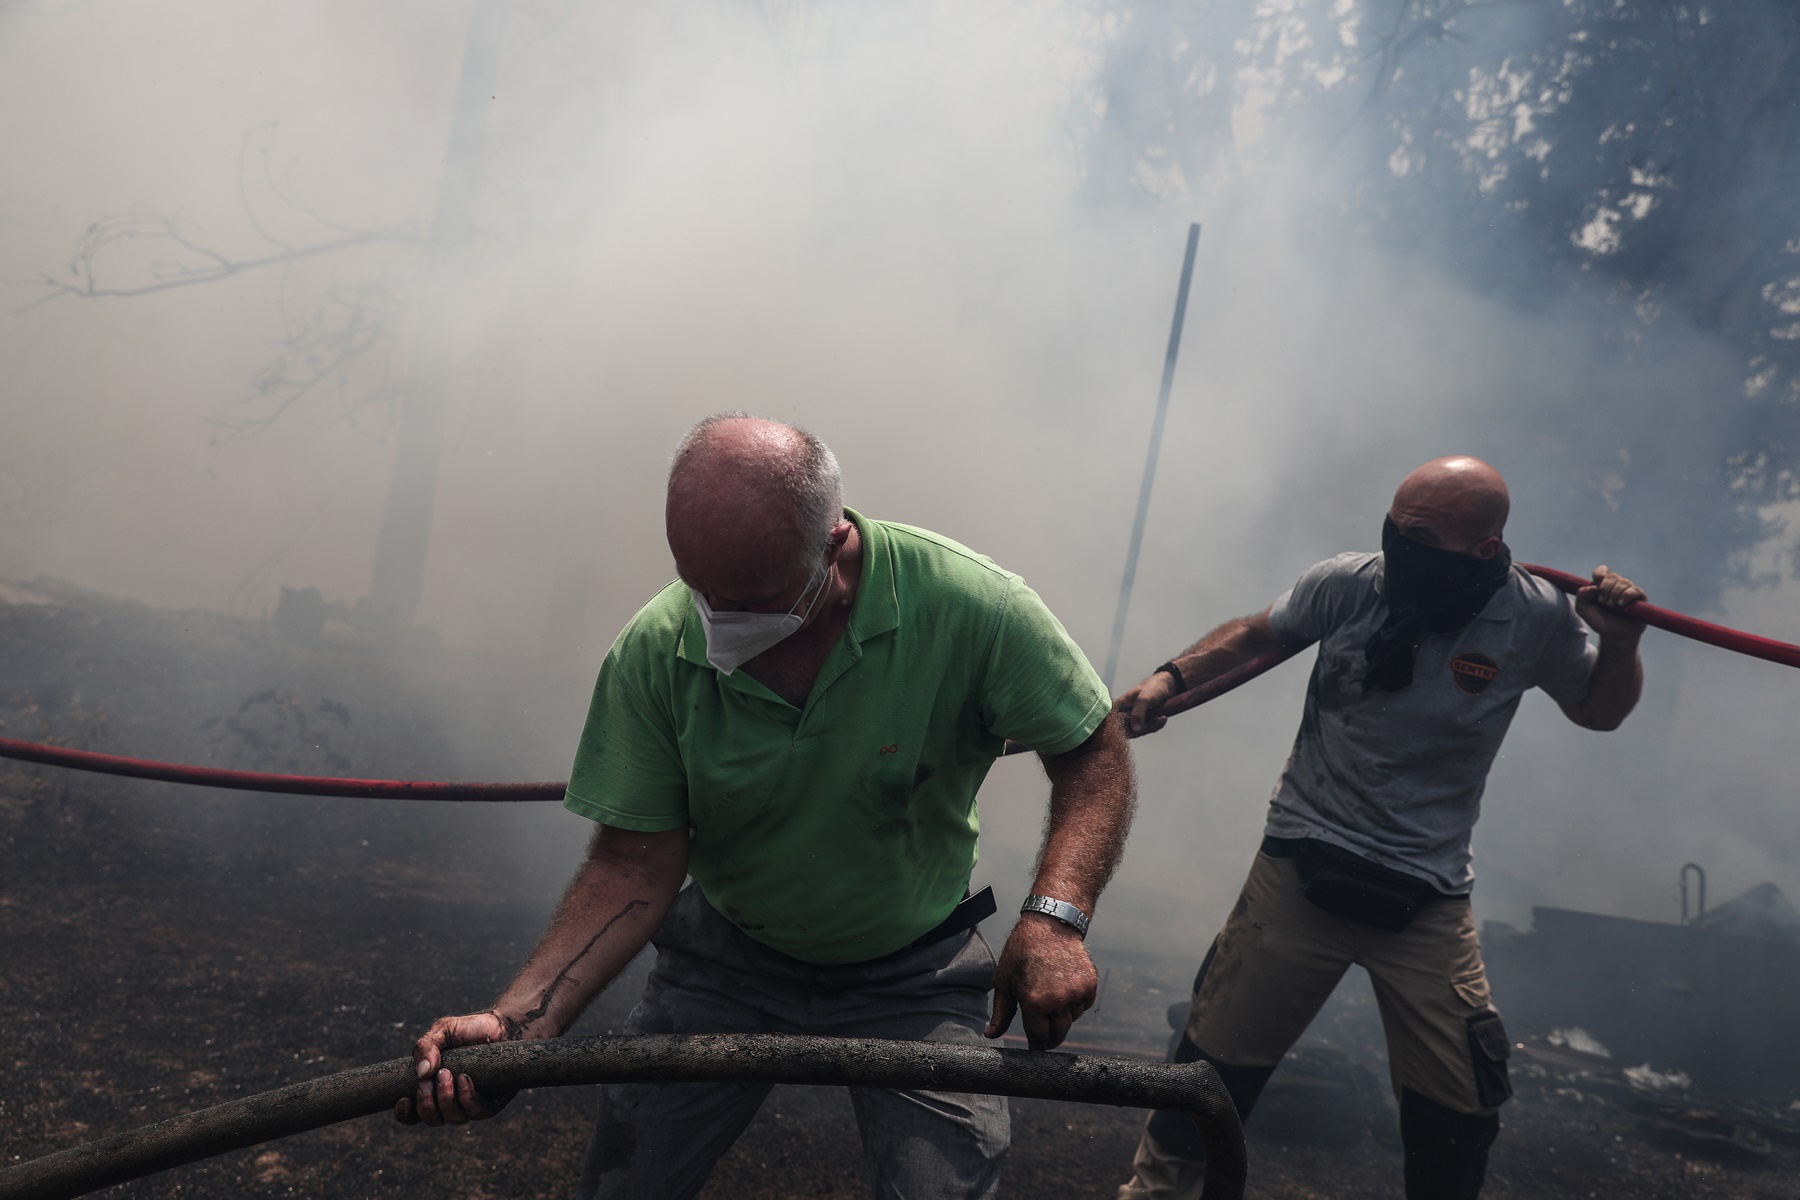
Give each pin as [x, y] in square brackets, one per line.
[1092, 801]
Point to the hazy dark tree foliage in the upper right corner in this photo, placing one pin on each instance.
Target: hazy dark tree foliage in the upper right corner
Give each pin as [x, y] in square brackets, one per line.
[1635, 159]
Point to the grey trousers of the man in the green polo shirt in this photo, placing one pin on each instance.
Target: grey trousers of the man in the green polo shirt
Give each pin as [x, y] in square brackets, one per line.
[661, 1142]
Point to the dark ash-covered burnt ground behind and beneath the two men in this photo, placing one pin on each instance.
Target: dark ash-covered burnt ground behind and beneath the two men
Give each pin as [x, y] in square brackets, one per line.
[168, 949]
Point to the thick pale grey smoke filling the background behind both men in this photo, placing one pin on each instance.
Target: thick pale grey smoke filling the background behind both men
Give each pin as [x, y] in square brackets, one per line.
[913, 231]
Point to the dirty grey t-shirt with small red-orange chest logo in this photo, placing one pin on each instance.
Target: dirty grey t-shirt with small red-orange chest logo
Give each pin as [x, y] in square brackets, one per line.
[1398, 776]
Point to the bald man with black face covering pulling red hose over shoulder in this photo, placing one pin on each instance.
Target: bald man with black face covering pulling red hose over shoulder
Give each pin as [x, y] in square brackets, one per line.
[1425, 656]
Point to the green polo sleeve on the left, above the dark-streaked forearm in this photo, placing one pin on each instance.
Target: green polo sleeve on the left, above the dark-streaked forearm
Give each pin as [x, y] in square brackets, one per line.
[627, 767]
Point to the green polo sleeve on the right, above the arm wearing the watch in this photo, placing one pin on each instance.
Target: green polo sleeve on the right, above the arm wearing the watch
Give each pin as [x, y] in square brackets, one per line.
[1039, 688]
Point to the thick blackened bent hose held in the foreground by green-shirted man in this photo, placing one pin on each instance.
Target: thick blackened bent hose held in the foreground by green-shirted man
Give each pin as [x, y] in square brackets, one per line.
[665, 1059]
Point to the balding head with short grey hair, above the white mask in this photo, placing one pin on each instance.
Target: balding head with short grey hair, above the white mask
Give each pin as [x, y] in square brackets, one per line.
[751, 506]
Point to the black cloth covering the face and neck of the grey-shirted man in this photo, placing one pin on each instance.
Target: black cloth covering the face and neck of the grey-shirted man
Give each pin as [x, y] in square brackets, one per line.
[1428, 591]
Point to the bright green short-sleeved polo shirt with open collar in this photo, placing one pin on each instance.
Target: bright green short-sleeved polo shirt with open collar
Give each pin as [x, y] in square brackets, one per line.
[847, 828]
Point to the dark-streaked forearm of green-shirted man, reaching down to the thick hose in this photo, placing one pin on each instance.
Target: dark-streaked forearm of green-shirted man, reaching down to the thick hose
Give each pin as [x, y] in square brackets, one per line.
[611, 909]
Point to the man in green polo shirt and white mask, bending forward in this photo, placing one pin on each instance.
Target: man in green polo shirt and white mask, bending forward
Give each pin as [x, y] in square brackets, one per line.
[802, 722]
